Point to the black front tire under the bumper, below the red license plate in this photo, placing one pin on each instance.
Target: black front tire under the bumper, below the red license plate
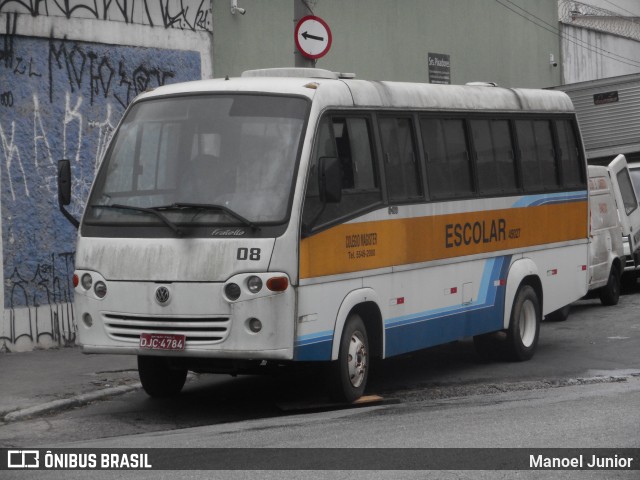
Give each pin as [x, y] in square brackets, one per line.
[159, 377]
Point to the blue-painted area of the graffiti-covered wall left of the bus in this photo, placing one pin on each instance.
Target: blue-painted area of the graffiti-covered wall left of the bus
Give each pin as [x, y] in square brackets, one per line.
[60, 99]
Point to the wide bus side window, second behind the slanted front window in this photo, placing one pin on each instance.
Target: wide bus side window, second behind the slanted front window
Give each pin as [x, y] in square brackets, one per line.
[447, 158]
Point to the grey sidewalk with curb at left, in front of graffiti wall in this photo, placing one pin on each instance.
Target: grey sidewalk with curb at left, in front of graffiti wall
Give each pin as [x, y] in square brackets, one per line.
[40, 381]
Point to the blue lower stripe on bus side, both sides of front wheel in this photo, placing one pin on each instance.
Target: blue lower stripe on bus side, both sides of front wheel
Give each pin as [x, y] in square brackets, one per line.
[432, 327]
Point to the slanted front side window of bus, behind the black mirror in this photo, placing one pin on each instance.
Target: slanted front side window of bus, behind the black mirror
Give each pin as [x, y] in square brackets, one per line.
[348, 139]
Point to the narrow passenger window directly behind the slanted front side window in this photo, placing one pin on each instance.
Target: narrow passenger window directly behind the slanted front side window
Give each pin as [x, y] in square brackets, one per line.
[401, 169]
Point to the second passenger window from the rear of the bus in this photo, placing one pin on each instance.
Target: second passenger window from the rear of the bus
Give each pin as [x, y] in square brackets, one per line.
[539, 170]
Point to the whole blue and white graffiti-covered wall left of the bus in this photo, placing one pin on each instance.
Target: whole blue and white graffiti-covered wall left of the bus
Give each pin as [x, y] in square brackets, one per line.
[67, 71]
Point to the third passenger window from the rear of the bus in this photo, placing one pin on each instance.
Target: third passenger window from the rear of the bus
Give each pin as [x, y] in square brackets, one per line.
[495, 162]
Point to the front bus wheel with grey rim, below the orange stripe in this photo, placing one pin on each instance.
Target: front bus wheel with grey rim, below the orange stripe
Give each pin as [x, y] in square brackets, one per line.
[348, 377]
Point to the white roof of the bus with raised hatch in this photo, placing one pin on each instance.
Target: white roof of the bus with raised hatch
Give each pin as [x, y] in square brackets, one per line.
[342, 90]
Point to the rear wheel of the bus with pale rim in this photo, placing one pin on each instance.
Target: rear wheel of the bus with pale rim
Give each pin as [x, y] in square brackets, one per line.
[524, 325]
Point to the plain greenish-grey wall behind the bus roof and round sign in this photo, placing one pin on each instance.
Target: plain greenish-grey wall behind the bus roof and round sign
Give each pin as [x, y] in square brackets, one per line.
[390, 40]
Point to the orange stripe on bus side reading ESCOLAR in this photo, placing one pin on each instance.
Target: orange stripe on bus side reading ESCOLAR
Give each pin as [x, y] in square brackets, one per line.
[363, 246]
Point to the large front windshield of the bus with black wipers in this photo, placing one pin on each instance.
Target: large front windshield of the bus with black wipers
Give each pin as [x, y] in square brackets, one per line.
[201, 159]
